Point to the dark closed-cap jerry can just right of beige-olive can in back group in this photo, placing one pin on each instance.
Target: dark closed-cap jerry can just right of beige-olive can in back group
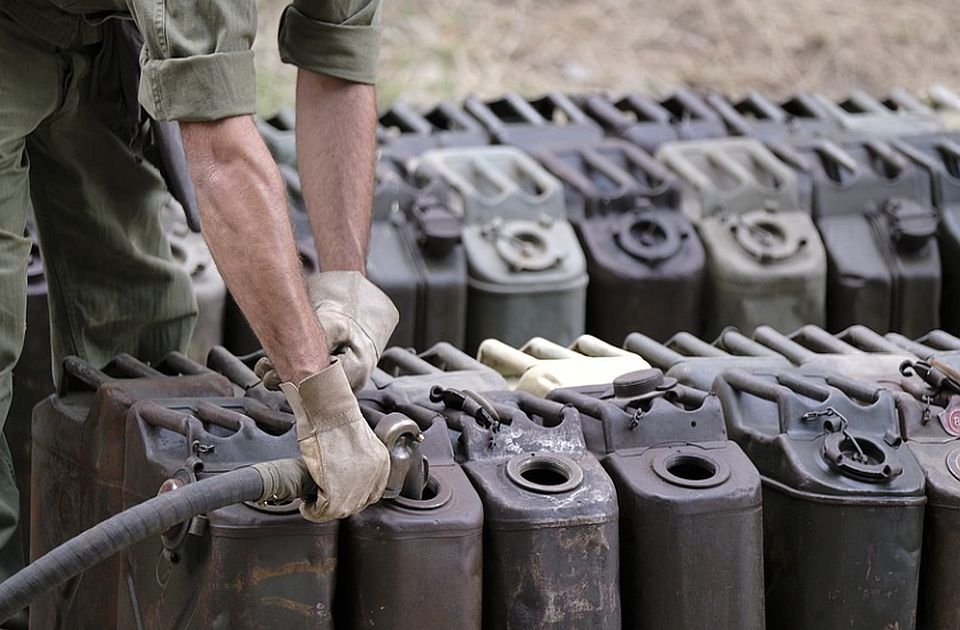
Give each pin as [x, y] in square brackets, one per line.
[865, 192]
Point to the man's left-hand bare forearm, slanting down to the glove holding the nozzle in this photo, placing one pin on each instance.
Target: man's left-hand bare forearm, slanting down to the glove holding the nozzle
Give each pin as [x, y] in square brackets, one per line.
[245, 221]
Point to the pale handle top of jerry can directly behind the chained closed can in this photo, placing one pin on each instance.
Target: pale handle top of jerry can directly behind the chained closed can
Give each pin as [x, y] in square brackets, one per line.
[817, 350]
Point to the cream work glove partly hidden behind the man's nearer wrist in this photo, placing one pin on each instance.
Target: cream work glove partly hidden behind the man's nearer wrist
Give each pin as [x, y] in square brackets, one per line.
[357, 320]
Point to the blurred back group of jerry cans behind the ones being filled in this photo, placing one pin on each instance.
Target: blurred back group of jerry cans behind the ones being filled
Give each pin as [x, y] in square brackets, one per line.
[561, 215]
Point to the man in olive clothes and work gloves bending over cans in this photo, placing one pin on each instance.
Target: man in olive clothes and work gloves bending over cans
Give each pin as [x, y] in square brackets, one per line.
[65, 155]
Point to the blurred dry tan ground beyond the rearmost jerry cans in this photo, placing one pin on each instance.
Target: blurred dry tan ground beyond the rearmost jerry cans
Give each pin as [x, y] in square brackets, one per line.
[437, 49]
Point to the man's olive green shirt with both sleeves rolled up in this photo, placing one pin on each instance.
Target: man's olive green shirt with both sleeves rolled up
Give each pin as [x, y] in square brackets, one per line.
[197, 62]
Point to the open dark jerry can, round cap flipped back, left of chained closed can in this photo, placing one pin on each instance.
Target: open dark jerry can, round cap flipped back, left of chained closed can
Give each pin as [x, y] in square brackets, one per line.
[682, 487]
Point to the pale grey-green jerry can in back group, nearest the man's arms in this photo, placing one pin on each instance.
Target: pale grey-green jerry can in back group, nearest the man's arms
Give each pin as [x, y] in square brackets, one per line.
[527, 272]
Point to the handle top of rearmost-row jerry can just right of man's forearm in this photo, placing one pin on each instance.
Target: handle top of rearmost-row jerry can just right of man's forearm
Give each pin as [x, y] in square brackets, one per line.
[403, 131]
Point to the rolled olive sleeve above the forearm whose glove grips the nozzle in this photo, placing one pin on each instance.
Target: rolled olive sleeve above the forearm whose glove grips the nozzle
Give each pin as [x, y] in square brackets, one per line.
[197, 62]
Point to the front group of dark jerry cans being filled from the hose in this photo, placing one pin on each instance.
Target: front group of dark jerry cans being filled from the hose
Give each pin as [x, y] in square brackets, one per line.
[799, 481]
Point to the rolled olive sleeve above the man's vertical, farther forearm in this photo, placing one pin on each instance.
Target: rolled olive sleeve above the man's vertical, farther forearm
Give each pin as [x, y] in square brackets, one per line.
[339, 38]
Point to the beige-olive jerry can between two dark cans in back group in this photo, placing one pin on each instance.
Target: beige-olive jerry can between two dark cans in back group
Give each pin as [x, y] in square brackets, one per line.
[765, 260]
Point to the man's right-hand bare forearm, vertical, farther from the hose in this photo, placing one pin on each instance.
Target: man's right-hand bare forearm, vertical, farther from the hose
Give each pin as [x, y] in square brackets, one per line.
[336, 154]
